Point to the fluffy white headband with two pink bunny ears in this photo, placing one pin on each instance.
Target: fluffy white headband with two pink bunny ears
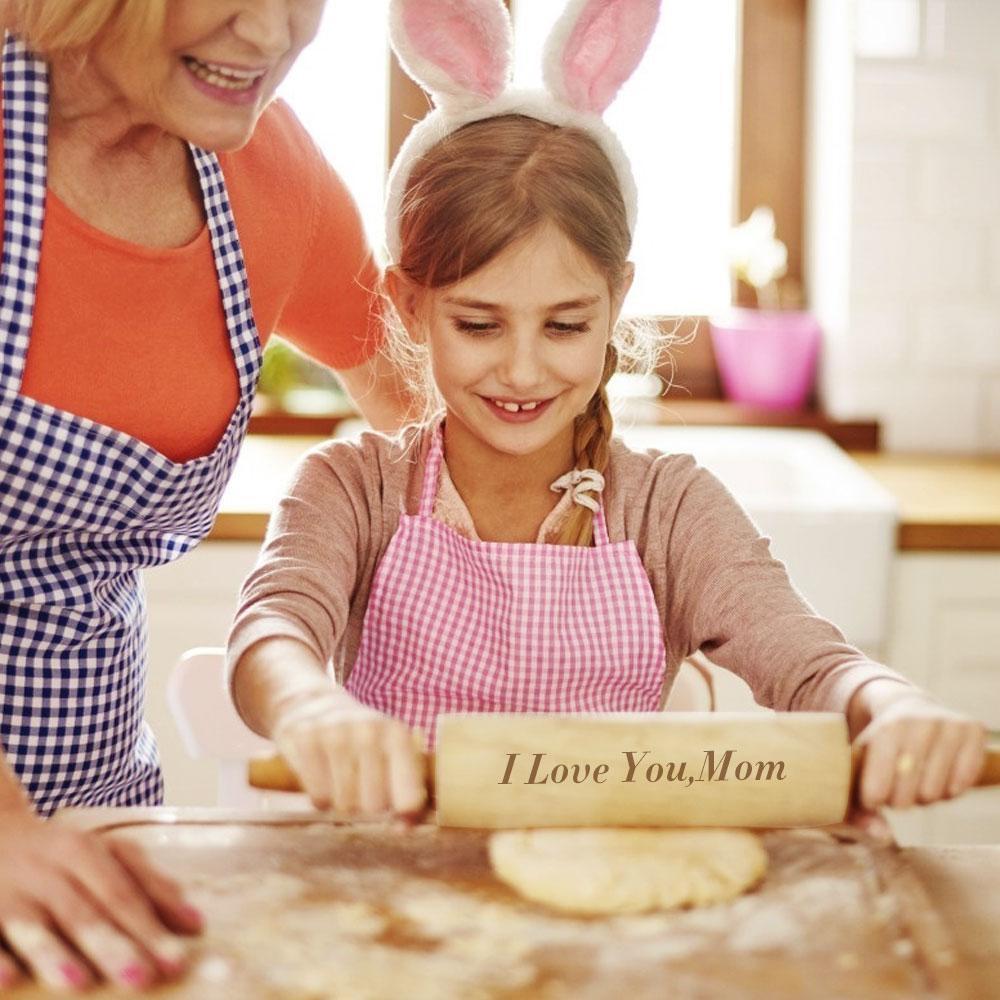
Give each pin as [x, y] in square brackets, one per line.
[461, 52]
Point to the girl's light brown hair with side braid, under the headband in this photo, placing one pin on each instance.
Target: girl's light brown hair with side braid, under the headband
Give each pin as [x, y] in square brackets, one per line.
[489, 184]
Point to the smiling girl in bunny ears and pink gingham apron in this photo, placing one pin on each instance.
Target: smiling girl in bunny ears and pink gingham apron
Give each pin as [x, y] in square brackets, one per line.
[511, 554]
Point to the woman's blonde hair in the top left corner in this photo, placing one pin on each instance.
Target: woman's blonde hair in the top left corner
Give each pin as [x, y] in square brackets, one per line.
[50, 27]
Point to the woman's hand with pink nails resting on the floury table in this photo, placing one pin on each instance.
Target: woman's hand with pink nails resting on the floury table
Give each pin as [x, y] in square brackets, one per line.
[73, 903]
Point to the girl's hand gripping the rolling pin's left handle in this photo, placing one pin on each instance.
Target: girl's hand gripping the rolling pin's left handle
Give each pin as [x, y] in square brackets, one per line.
[349, 757]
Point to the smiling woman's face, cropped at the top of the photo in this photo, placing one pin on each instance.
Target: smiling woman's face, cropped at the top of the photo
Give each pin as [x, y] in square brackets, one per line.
[215, 67]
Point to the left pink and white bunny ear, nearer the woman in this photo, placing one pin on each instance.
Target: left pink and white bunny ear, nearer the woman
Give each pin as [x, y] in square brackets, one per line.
[460, 51]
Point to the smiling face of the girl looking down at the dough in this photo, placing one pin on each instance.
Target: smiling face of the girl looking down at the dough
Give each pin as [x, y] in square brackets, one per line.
[518, 348]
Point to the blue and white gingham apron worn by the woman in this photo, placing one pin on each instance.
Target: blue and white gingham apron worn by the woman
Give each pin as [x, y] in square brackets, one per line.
[84, 507]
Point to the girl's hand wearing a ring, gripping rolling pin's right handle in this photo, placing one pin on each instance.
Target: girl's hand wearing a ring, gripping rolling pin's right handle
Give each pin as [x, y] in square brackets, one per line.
[917, 751]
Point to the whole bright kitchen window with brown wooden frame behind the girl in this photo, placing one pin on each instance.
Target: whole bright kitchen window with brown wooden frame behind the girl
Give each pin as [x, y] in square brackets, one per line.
[712, 119]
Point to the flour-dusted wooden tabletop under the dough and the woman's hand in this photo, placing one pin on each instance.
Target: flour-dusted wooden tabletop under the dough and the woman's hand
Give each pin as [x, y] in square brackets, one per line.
[296, 900]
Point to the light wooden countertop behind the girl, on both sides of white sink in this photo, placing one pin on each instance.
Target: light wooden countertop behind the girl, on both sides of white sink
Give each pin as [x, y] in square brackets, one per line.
[946, 502]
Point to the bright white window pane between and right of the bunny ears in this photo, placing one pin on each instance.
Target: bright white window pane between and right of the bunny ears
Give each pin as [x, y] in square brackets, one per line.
[676, 119]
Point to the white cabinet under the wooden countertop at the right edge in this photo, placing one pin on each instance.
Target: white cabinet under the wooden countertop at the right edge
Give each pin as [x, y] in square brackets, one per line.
[944, 634]
